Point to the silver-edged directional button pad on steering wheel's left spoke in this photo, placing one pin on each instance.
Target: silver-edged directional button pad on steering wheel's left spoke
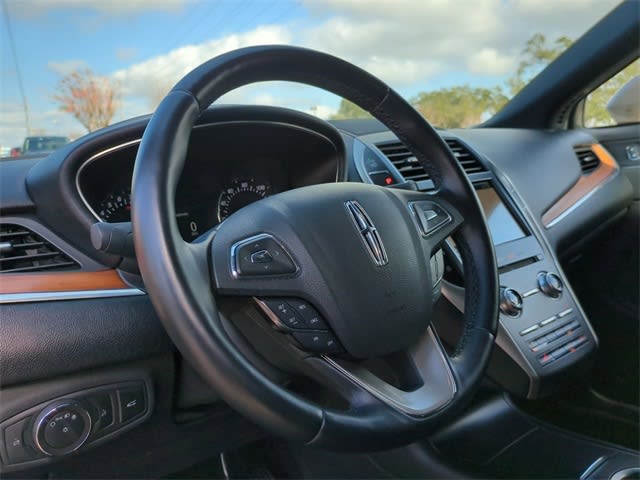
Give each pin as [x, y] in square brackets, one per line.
[261, 255]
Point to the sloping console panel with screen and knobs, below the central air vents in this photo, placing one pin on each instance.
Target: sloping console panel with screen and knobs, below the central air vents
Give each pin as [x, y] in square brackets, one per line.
[542, 328]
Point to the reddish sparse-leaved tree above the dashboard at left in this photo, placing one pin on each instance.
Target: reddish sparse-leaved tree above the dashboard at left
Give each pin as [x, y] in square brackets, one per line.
[93, 100]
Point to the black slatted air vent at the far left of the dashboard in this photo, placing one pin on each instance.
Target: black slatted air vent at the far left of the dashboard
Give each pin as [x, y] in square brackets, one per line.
[21, 250]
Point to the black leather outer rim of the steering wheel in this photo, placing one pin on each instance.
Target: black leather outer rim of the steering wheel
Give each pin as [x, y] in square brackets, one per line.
[182, 289]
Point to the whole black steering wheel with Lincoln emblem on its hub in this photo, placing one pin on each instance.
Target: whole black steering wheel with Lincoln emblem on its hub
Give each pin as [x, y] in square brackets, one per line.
[358, 254]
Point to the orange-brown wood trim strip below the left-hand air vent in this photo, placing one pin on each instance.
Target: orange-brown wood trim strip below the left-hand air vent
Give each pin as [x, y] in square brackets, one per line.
[61, 282]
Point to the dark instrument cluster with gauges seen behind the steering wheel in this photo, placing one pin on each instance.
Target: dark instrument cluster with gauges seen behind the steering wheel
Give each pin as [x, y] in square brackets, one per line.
[220, 175]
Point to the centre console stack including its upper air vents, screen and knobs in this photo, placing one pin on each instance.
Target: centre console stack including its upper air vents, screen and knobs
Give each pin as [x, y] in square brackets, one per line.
[542, 330]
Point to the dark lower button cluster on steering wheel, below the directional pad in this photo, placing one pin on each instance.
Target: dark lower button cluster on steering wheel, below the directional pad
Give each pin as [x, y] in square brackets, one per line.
[303, 322]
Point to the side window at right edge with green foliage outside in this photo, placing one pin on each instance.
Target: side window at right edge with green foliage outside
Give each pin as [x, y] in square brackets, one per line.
[598, 109]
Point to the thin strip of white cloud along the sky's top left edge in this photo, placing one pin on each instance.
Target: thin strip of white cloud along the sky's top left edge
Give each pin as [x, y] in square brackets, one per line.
[31, 8]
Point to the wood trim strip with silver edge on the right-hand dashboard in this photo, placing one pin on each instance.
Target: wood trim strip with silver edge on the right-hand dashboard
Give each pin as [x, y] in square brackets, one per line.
[585, 185]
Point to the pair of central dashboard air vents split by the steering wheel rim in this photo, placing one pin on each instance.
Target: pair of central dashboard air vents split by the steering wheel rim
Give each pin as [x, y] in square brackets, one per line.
[409, 167]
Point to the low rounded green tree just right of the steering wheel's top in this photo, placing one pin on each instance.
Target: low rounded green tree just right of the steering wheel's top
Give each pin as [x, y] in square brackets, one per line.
[460, 106]
